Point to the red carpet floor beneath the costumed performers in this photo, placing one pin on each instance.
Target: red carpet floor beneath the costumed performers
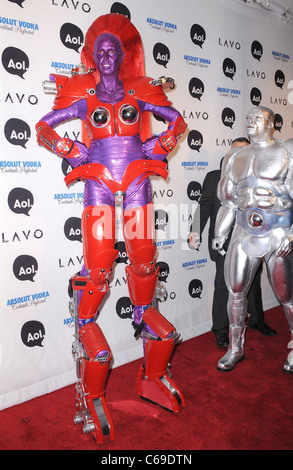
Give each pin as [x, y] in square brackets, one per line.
[249, 408]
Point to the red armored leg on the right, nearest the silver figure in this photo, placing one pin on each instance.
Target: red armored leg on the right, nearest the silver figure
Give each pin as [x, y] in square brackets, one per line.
[159, 335]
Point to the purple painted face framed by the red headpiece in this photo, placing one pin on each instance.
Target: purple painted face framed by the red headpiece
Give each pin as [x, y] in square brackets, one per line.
[108, 54]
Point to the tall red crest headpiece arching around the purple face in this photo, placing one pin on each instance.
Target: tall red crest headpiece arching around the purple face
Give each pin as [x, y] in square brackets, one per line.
[123, 29]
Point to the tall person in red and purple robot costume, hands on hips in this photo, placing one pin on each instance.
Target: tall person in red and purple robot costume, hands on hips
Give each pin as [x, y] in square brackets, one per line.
[114, 99]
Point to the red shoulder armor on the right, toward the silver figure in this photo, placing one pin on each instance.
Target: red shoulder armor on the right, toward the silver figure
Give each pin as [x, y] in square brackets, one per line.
[146, 89]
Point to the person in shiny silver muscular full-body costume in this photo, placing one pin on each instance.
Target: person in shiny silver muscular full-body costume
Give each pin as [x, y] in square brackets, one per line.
[256, 192]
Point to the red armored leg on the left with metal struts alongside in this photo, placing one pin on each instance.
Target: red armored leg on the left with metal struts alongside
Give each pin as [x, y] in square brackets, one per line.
[90, 348]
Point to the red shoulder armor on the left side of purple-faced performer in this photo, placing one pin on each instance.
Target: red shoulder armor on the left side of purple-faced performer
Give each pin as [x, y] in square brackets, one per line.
[72, 89]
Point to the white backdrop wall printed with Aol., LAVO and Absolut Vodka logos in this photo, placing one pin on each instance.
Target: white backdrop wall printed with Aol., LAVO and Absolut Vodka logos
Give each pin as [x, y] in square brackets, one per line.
[225, 58]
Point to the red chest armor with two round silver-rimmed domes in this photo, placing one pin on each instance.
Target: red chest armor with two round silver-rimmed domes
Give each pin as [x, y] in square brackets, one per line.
[105, 120]
